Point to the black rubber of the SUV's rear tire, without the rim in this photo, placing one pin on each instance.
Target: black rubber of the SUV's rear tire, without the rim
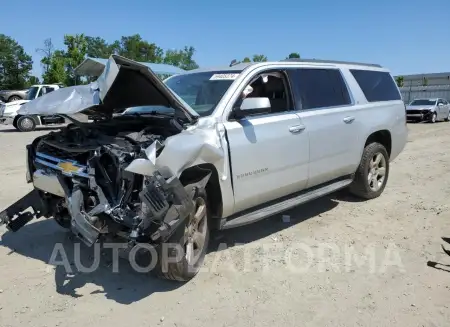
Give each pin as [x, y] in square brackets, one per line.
[360, 186]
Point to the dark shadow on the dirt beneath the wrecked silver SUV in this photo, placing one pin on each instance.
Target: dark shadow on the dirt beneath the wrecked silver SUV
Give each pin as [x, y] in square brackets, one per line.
[37, 240]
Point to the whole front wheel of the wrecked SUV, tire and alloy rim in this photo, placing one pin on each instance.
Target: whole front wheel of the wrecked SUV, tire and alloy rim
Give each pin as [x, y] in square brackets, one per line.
[183, 270]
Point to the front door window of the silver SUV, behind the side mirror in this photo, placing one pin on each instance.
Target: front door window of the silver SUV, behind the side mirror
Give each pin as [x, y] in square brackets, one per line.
[272, 85]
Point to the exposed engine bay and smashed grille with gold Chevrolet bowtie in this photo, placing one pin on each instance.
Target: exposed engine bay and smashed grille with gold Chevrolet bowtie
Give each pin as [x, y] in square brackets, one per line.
[84, 176]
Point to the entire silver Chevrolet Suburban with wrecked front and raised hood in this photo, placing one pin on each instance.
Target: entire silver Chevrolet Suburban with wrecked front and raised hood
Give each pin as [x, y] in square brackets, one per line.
[233, 146]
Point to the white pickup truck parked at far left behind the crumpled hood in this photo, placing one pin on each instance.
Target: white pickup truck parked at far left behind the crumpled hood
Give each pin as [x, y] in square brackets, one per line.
[27, 123]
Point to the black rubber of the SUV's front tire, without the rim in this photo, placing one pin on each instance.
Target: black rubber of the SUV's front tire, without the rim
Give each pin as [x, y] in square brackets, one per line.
[181, 271]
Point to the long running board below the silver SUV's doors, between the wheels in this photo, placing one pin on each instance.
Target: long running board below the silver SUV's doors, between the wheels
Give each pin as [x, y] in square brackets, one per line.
[262, 213]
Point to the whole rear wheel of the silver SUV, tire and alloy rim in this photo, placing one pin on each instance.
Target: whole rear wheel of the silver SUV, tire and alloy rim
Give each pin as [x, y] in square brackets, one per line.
[361, 187]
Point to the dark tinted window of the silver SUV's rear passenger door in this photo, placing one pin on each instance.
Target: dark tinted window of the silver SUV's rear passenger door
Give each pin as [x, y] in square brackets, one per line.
[320, 88]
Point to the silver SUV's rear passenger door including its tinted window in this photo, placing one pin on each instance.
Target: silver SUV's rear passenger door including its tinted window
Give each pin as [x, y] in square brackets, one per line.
[328, 114]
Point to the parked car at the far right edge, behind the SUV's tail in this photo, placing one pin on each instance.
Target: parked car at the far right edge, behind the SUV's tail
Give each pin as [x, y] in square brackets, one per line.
[430, 110]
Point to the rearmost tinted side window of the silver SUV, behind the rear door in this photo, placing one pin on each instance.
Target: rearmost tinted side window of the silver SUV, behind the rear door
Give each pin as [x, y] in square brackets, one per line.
[376, 86]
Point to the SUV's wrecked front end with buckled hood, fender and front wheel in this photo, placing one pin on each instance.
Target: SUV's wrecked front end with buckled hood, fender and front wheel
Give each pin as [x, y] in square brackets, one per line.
[120, 176]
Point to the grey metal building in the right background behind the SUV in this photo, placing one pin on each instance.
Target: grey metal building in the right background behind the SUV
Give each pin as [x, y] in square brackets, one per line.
[436, 85]
